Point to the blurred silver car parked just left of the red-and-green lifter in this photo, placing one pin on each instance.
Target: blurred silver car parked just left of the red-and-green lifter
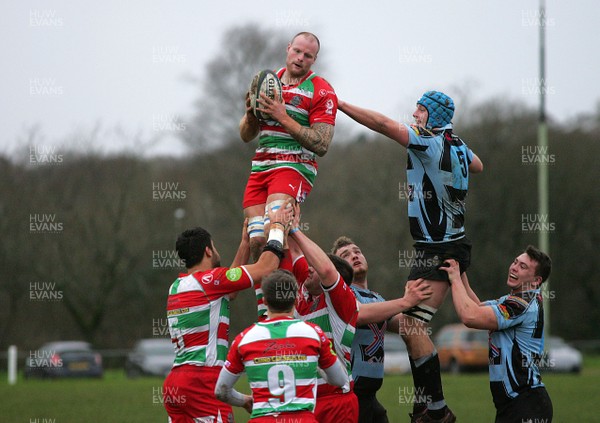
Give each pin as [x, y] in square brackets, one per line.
[150, 357]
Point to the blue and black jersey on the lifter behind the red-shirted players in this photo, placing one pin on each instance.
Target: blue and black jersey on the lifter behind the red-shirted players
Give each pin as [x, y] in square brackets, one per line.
[367, 347]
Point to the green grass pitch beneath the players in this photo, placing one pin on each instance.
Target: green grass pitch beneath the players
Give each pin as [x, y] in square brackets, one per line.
[576, 398]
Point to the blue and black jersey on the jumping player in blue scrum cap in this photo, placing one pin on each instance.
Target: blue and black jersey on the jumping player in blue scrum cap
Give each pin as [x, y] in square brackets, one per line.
[437, 174]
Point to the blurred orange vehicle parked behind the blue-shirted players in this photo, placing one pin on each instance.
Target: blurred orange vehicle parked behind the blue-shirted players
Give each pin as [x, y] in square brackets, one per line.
[461, 348]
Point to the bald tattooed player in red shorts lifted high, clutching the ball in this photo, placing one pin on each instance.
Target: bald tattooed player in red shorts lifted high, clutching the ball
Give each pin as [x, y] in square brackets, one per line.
[301, 128]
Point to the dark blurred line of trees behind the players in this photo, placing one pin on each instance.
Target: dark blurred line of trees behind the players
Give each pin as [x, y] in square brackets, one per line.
[88, 246]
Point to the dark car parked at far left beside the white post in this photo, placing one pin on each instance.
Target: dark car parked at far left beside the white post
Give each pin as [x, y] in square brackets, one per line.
[64, 359]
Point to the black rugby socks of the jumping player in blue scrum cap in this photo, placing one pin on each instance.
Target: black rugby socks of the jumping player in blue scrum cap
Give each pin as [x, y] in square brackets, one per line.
[428, 383]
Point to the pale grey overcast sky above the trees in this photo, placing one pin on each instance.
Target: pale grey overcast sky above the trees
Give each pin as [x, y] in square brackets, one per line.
[68, 66]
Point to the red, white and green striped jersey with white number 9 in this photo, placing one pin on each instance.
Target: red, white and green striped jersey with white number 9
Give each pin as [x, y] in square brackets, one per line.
[280, 357]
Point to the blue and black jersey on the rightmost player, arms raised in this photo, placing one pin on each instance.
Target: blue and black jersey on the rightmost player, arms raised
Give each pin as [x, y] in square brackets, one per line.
[517, 345]
